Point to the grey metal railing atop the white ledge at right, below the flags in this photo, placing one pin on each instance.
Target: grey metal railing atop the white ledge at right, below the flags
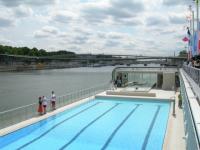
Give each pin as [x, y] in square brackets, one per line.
[194, 73]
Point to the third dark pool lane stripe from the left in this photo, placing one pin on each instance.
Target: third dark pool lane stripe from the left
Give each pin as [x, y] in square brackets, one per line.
[118, 127]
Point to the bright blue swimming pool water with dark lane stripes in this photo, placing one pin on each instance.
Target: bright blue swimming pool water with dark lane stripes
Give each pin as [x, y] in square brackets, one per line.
[97, 125]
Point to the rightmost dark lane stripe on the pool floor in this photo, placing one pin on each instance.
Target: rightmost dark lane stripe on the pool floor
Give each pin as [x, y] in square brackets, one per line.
[150, 128]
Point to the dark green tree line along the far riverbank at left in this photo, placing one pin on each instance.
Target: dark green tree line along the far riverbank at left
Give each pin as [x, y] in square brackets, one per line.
[33, 51]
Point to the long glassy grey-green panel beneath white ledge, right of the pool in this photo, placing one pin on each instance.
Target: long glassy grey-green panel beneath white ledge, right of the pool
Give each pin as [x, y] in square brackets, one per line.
[192, 139]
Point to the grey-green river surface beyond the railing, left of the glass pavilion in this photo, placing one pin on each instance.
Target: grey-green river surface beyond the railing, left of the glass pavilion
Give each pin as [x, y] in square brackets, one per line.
[23, 88]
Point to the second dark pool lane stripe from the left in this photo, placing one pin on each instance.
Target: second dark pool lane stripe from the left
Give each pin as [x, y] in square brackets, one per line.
[89, 124]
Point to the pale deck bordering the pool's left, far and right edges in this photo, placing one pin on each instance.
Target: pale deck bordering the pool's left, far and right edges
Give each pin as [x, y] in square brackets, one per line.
[174, 138]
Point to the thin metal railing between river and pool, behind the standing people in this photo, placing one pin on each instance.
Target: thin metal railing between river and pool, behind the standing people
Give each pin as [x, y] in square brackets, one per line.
[16, 115]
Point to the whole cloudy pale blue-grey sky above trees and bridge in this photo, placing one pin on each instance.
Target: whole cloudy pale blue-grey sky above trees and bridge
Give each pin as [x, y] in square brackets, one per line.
[135, 27]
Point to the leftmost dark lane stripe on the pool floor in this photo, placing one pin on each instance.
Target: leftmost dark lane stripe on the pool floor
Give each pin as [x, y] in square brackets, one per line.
[46, 132]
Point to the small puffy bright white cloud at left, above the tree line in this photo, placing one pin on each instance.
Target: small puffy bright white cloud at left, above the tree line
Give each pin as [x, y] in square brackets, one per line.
[46, 31]
